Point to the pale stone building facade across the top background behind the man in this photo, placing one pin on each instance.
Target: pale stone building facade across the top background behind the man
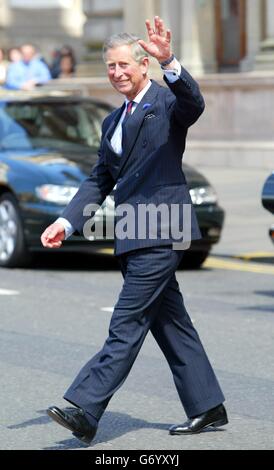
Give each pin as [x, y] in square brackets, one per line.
[208, 35]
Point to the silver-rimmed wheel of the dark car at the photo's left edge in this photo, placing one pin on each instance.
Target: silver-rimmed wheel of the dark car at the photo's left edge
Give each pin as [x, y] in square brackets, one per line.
[13, 250]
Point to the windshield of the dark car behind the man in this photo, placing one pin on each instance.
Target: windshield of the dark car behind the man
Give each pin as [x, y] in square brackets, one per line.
[51, 125]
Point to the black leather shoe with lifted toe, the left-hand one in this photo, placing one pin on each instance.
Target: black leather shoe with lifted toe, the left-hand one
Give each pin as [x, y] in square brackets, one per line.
[74, 419]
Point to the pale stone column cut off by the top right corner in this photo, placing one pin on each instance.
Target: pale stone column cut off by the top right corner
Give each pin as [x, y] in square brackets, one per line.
[265, 57]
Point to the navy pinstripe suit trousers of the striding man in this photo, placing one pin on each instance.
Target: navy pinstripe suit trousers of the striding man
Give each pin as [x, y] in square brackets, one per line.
[150, 299]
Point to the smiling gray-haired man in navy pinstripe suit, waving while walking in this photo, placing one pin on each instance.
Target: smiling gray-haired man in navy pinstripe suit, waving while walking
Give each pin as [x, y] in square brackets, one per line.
[141, 152]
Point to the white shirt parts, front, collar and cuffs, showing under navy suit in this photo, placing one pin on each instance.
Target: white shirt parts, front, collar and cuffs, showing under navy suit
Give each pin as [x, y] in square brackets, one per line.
[172, 76]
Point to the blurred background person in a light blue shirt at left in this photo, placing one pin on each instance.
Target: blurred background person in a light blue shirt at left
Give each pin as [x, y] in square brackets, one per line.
[27, 73]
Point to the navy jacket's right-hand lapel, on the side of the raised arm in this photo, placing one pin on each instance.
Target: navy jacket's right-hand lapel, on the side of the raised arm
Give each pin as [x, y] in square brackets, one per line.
[136, 120]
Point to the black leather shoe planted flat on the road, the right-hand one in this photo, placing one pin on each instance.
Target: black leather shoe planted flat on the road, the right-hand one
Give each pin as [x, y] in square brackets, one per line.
[215, 417]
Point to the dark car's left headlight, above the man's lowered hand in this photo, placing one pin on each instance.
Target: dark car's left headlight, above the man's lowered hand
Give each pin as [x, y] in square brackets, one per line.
[54, 193]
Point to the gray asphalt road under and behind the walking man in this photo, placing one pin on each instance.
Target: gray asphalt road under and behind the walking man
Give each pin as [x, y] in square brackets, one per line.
[56, 315]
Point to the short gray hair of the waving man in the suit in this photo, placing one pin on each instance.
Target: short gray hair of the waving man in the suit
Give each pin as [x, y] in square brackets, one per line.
[125, 39]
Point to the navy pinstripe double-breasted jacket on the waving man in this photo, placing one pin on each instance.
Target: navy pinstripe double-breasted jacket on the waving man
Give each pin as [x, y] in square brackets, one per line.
[149, 171]
